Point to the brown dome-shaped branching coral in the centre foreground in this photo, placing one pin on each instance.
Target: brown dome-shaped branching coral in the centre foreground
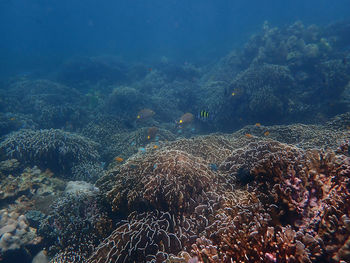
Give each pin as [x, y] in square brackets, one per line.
[168, 180]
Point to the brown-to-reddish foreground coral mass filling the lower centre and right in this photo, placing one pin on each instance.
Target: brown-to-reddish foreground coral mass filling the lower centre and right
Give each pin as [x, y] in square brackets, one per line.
[287, 211]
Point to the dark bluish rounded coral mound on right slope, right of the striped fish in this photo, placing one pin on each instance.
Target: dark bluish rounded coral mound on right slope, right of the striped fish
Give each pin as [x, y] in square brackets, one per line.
[260, 93]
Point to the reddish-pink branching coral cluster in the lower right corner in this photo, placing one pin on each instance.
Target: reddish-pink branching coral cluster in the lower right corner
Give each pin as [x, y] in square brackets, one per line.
[304, 192]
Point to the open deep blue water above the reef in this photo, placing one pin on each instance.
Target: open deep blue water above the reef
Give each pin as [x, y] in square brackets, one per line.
[43, 33]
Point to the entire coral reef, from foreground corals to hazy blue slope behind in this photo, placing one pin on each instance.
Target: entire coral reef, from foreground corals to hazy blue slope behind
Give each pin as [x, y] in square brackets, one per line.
[120, 168]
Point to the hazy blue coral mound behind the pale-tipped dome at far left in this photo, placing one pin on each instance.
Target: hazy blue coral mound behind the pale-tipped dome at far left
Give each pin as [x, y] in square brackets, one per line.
[49, 104]
